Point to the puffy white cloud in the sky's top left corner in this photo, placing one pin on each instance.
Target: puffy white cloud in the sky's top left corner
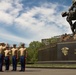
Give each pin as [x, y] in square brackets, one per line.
[9, 10]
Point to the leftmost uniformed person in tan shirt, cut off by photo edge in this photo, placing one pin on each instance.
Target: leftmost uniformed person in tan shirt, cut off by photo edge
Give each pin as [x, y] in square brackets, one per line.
[2, 47]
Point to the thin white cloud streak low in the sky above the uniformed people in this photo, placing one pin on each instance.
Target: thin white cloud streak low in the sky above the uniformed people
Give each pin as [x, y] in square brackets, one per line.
[10, 37]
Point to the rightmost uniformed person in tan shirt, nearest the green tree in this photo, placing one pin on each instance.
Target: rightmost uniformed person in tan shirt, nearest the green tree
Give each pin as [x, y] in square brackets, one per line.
[23, 55]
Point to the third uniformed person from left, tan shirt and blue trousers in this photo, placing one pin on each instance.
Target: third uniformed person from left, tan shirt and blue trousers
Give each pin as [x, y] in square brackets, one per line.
[14, 51]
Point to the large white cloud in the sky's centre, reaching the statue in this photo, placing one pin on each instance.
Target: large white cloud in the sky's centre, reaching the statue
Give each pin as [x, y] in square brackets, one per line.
[44, 21]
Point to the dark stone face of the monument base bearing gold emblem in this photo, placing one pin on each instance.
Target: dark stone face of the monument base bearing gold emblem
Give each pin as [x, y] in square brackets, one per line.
[66, 51]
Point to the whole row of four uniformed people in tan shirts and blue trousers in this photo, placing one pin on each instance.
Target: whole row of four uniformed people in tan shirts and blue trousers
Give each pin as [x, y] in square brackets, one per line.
[15, 52]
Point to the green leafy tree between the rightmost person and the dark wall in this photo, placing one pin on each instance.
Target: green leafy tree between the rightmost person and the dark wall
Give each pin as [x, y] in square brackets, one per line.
[33, 51]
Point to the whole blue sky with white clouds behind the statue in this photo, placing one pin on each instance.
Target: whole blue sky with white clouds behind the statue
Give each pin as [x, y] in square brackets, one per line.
[24, 21]
